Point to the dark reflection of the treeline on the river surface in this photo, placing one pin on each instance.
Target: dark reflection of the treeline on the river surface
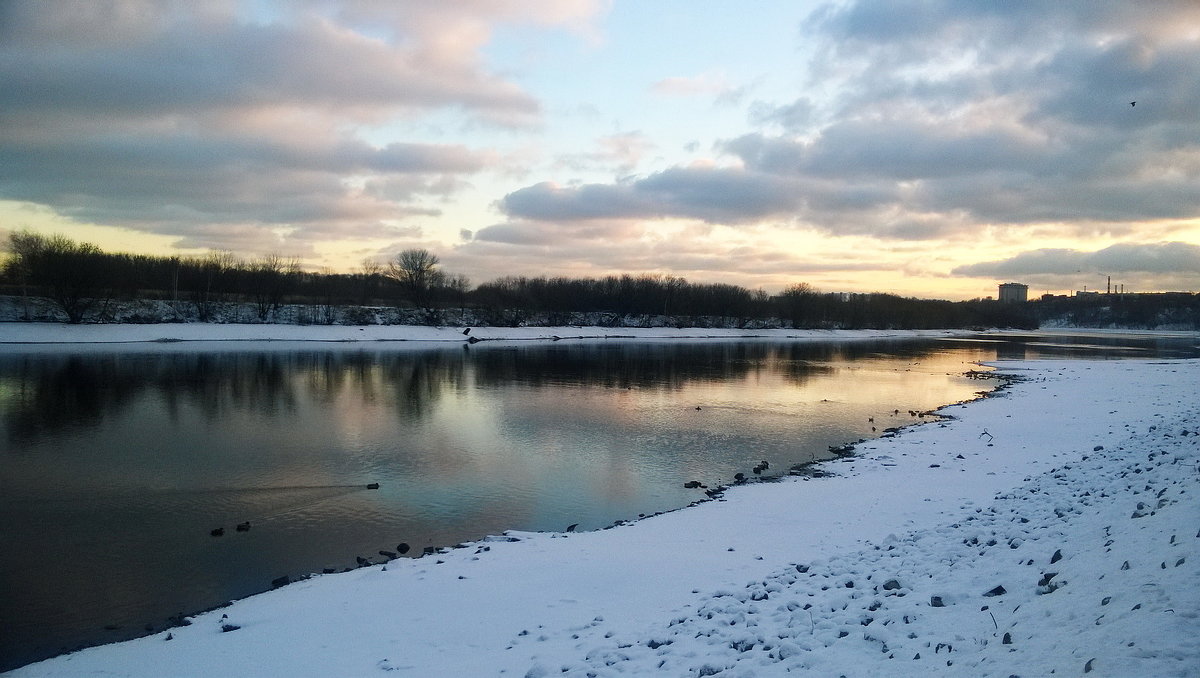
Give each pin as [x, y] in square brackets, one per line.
[56, 394]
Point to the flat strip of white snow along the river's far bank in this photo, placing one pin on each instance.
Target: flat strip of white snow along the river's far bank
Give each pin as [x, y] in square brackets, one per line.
[26, 337]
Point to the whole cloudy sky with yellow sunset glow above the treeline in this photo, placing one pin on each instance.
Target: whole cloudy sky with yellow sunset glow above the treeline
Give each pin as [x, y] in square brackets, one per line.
[931, 148]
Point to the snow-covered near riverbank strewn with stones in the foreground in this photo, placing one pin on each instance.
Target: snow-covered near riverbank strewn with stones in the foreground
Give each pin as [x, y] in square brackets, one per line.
[1053, 529]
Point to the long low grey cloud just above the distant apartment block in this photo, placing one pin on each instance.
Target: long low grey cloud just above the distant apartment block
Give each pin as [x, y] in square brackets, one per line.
[1121, 259]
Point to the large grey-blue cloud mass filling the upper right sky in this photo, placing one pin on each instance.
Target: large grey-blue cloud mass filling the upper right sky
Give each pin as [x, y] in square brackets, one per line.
[946, 119]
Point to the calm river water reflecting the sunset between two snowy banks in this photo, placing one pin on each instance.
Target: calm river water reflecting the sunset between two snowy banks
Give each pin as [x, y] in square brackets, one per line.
[115, 467]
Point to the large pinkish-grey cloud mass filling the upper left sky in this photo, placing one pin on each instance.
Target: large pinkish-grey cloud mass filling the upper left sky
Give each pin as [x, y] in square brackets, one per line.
[208, 119]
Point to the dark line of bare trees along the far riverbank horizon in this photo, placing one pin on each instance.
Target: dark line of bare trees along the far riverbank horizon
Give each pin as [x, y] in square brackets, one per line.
[87, 285]
